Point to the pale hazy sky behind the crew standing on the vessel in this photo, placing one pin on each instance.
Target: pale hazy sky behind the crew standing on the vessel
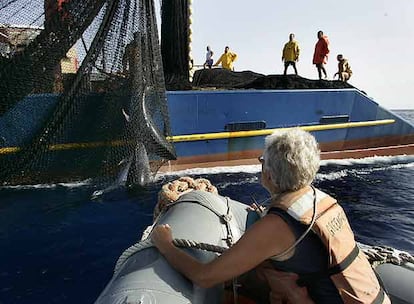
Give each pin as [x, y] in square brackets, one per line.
[376, 36]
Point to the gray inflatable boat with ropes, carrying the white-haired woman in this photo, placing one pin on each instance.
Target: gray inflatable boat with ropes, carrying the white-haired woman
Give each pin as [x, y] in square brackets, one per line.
[206, 223]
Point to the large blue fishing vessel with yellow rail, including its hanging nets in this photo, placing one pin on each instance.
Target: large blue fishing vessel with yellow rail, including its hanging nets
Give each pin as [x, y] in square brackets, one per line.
[77, 104]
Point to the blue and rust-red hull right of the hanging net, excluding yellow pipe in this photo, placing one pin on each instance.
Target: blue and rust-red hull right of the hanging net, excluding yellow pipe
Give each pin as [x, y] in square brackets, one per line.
[196, 112]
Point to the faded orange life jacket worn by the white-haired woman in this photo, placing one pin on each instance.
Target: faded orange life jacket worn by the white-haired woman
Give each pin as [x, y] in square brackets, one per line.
[348, 269]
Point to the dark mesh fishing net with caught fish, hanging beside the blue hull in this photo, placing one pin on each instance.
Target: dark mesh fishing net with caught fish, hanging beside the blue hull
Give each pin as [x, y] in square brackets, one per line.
[82, 92]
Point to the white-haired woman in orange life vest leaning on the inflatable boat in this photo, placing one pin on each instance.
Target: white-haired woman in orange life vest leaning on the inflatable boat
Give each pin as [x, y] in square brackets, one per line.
[303, 244]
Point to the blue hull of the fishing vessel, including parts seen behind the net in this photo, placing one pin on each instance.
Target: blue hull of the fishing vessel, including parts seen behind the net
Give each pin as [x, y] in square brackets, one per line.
[206, 126]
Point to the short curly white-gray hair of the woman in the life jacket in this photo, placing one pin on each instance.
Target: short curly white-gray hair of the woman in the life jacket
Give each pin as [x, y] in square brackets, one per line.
[292, 158]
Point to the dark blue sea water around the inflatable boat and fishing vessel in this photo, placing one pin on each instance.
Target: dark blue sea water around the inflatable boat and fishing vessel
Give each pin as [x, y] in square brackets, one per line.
[59, 246]
